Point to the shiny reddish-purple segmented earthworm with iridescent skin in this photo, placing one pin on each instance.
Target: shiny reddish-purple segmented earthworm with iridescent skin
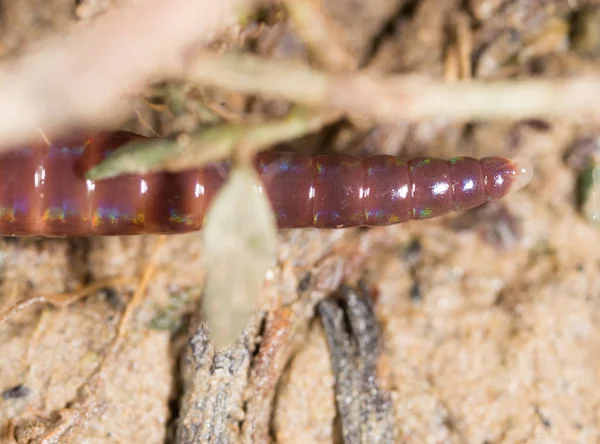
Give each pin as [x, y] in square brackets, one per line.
[43, 192]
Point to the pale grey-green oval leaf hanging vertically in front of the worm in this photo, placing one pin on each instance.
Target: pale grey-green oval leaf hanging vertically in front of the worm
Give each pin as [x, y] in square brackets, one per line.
[240, 242]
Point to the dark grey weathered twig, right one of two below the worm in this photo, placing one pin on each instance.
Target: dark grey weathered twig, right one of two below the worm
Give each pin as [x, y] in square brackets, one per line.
[364, 407]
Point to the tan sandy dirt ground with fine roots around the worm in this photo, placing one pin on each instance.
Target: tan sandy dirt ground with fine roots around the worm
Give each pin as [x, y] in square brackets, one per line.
[488, 320]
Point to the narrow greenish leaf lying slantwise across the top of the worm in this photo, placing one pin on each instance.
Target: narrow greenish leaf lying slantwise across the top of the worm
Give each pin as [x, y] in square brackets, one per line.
[207, 145]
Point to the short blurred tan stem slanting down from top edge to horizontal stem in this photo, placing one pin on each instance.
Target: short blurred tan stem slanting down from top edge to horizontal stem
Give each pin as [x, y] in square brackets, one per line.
[324, 37]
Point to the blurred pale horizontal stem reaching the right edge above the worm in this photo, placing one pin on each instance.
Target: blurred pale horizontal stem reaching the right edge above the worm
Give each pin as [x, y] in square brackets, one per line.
[393, 98]
